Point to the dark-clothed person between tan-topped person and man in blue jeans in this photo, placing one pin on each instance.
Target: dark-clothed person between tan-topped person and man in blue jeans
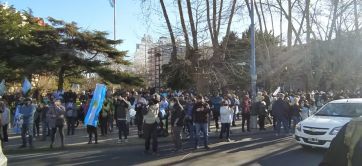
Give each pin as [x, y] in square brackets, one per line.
[177, 122]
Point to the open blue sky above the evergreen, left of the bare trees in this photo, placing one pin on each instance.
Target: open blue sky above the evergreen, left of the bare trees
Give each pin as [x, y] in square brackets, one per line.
[93, 15]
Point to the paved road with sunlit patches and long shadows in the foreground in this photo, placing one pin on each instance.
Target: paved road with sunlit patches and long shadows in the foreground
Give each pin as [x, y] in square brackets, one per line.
[255, 150]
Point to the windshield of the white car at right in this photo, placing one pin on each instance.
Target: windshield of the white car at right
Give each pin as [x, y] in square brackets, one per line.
[341, 110]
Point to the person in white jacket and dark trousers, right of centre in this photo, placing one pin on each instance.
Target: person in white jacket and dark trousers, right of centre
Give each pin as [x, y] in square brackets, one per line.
[226, 117]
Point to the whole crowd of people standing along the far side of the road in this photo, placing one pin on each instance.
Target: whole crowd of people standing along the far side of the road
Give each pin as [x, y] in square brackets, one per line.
[185, 113]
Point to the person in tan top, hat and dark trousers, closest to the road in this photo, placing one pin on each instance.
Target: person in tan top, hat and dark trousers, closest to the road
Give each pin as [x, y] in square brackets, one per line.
[151, 121]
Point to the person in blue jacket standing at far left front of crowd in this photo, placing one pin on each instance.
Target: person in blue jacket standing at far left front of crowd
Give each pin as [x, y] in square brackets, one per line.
[27, 113]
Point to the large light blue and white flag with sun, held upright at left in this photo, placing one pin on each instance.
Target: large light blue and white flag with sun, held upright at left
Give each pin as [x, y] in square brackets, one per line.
[95, 105]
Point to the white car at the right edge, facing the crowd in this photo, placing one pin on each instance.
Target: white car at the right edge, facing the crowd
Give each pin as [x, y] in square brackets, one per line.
[319, 129]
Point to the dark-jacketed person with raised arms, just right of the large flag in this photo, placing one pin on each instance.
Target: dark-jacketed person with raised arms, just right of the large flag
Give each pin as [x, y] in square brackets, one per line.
[122, 107]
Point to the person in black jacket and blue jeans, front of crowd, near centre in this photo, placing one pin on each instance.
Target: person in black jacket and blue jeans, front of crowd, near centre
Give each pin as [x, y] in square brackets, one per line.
[200, 116]
